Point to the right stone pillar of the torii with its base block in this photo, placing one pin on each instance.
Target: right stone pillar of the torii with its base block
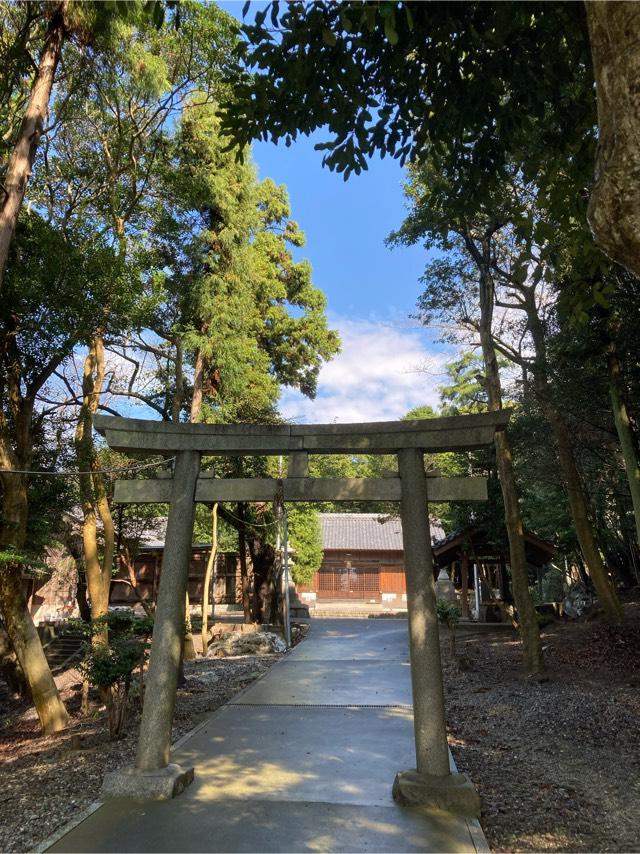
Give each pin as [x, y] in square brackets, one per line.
[431, 783]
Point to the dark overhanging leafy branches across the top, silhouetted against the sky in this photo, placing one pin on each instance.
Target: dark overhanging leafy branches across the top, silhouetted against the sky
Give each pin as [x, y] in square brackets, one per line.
[471, 84]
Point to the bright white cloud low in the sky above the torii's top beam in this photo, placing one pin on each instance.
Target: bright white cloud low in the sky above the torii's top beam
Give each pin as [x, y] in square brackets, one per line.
[383, 371]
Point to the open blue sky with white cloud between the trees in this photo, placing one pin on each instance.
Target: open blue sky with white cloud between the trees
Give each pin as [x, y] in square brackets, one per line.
[371, 290]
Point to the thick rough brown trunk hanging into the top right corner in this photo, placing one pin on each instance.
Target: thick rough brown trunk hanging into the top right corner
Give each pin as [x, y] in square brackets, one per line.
[614, 207]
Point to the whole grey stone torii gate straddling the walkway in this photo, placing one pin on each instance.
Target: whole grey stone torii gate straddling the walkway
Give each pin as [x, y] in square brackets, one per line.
[431, 782]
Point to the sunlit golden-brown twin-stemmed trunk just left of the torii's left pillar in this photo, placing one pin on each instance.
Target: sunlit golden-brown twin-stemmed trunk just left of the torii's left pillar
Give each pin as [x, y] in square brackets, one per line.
[92, 490]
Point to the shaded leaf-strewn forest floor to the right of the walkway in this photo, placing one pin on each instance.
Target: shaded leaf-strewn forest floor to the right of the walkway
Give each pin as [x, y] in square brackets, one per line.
[557, 763]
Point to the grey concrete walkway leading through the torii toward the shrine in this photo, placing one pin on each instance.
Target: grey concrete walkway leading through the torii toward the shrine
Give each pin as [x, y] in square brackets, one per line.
[303, 760]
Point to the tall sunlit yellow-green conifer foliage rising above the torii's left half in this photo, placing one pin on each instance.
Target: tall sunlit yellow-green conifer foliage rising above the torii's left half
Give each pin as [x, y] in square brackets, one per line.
[233, 291]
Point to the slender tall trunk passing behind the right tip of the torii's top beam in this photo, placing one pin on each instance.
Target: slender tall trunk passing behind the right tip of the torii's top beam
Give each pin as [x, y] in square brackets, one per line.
[527, 617]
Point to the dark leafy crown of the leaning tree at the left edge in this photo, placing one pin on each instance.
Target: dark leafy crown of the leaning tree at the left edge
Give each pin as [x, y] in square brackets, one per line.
[56, 293]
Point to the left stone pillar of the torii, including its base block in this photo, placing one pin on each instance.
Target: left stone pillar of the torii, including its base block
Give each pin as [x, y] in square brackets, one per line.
[152, 776]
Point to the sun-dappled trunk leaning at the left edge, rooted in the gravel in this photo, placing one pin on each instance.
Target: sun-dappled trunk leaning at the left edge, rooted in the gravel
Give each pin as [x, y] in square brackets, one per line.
[18, 622]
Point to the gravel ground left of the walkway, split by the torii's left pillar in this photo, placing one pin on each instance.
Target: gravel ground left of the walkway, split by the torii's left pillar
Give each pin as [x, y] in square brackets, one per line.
[48, 781]
